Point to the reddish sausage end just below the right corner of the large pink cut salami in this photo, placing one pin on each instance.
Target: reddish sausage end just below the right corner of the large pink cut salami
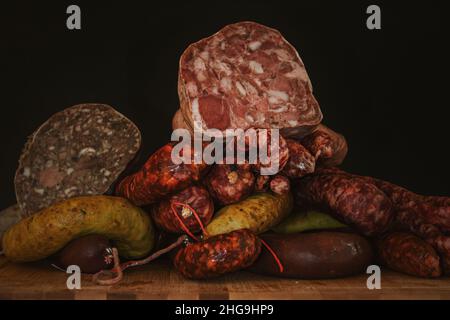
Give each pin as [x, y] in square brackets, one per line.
[329, 147]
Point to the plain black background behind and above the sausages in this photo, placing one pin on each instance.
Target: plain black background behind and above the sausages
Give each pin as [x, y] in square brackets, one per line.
[386, 90]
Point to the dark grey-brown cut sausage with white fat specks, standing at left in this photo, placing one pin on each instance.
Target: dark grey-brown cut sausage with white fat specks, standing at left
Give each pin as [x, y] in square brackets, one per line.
[81, 150]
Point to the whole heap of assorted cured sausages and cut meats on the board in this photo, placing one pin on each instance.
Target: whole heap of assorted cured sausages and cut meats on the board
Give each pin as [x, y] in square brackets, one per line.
[82, 201]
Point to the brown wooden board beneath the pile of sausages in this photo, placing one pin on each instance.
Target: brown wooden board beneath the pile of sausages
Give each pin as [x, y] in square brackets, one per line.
[160, 281]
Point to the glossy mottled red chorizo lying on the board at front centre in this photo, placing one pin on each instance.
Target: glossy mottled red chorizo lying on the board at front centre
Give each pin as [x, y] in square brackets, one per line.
[218, 255]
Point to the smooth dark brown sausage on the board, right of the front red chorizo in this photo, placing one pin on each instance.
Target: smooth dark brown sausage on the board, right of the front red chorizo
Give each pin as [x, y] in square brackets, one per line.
[317, 255]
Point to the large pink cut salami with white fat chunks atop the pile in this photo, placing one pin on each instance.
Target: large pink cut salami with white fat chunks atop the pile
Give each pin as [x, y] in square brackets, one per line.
[246, 75]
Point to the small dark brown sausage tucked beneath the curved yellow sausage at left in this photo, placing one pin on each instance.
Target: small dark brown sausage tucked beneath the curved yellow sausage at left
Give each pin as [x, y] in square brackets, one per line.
[91, 253]
